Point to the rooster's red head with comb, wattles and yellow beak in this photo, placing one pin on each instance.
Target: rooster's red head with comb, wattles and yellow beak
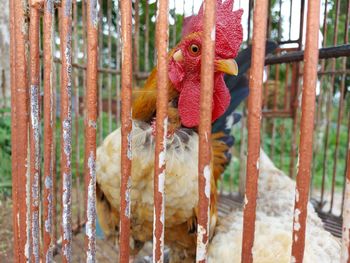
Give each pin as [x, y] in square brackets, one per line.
[185, 62]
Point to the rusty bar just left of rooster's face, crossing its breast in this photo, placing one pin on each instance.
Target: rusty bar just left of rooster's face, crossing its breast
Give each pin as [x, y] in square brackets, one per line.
[162, 39]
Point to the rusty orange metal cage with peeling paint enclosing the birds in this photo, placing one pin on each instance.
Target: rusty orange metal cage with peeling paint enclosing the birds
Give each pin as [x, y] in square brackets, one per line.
[76, 66]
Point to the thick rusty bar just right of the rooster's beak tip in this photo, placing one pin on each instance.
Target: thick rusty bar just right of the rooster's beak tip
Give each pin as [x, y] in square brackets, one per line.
[254, 118]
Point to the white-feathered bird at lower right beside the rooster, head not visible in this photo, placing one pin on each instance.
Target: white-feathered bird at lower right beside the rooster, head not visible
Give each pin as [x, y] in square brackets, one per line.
[273, 225]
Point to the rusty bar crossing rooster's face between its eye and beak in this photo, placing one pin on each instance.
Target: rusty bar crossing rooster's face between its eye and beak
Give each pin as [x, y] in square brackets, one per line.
[204, 130]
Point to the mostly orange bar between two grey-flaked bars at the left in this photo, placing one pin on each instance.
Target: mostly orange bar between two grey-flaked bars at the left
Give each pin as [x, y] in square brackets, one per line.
[49, 115]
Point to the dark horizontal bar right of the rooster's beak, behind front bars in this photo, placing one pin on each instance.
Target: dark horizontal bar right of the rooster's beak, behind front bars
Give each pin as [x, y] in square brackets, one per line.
[328, 52]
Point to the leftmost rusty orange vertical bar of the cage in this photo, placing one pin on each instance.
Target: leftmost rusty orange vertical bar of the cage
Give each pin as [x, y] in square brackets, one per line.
[15, 209]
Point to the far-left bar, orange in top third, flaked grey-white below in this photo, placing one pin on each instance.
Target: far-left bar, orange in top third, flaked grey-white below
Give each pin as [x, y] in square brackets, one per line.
[34, 126]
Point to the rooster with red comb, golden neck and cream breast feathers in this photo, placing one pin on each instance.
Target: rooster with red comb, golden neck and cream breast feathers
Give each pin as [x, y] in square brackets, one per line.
[181, 181]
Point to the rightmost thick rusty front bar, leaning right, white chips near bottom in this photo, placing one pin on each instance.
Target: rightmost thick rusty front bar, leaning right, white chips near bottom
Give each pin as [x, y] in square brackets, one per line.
[306, 131]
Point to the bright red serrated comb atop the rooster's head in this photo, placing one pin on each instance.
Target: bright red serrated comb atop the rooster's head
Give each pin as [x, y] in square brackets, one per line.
[229, 32]
